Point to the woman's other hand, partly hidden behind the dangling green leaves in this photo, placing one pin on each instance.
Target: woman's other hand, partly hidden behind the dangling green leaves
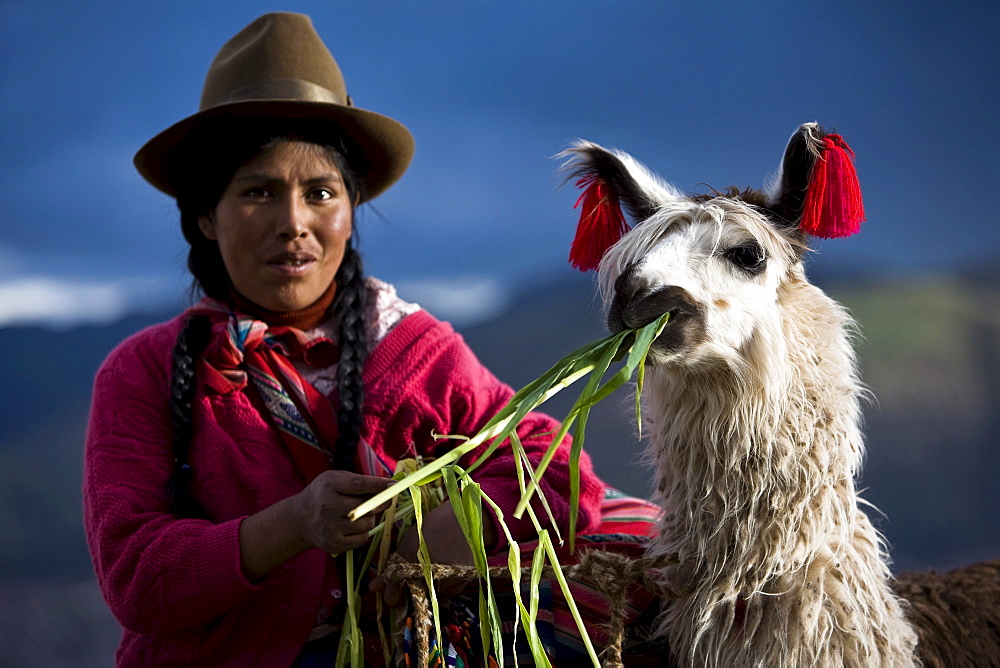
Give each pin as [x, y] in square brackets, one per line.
[446, 544]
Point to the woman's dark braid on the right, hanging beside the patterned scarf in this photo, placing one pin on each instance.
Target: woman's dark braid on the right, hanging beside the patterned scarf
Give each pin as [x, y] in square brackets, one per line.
[349, 306]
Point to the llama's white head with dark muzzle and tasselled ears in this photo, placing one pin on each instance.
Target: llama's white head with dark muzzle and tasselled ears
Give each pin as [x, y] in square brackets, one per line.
[717, 263]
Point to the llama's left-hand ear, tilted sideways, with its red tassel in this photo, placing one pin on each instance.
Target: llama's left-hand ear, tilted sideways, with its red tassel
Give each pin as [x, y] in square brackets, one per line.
[609, 179]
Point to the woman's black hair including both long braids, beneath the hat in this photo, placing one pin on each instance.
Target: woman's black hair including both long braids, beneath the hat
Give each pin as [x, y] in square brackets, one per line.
[220, 156]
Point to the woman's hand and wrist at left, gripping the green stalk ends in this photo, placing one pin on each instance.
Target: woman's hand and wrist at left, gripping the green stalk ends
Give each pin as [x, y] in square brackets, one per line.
[316, 517]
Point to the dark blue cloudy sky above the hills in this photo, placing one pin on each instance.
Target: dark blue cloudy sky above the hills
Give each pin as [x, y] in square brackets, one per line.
[704, 93]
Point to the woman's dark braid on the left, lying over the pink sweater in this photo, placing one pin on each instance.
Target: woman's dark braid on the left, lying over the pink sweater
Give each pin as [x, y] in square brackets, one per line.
[190, 343]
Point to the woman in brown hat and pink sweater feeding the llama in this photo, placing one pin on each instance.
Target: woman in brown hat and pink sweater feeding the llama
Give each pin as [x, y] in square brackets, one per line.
[227, 445]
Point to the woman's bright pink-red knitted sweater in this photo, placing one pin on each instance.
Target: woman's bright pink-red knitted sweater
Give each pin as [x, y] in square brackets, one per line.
[177, 585]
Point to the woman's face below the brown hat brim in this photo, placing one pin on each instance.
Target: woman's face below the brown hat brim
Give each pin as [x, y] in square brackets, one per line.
[282, 225]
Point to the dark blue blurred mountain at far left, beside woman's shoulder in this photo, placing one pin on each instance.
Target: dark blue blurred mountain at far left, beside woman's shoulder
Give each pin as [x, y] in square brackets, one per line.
[48, 377]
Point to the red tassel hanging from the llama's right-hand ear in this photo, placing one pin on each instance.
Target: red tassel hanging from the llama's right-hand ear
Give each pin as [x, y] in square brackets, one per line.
[833, 206]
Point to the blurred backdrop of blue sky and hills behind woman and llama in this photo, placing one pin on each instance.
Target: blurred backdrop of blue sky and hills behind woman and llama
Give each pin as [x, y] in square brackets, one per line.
[478, 231]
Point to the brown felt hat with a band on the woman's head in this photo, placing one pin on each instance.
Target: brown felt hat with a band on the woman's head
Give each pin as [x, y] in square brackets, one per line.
[277, 70]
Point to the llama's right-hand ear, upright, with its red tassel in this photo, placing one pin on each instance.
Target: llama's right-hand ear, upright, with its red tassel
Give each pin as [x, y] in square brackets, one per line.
[816, 188]
